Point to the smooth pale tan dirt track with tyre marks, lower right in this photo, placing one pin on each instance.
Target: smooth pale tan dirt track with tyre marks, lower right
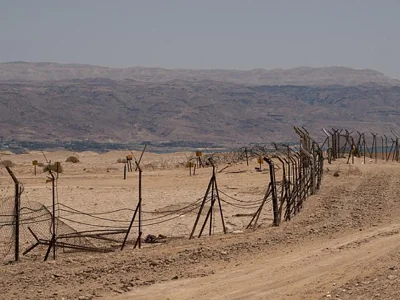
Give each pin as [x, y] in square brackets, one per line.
[303, 273]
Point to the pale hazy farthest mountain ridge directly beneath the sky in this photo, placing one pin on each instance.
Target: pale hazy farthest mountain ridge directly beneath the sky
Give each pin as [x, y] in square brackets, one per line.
[301, 76]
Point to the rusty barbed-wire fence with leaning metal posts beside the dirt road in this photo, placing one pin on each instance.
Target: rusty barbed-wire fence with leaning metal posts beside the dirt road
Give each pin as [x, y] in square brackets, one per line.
[293, 174]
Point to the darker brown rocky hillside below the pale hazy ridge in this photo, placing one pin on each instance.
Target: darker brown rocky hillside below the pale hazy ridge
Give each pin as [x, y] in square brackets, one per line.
[219, 113]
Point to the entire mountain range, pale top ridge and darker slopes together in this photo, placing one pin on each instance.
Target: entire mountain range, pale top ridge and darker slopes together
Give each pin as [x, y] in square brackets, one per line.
[80, 104]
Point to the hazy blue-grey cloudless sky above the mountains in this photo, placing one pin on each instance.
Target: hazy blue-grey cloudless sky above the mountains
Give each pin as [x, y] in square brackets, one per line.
[229, 34]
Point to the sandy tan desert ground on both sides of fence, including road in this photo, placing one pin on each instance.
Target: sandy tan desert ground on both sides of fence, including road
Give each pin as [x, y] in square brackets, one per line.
[344, 244]
